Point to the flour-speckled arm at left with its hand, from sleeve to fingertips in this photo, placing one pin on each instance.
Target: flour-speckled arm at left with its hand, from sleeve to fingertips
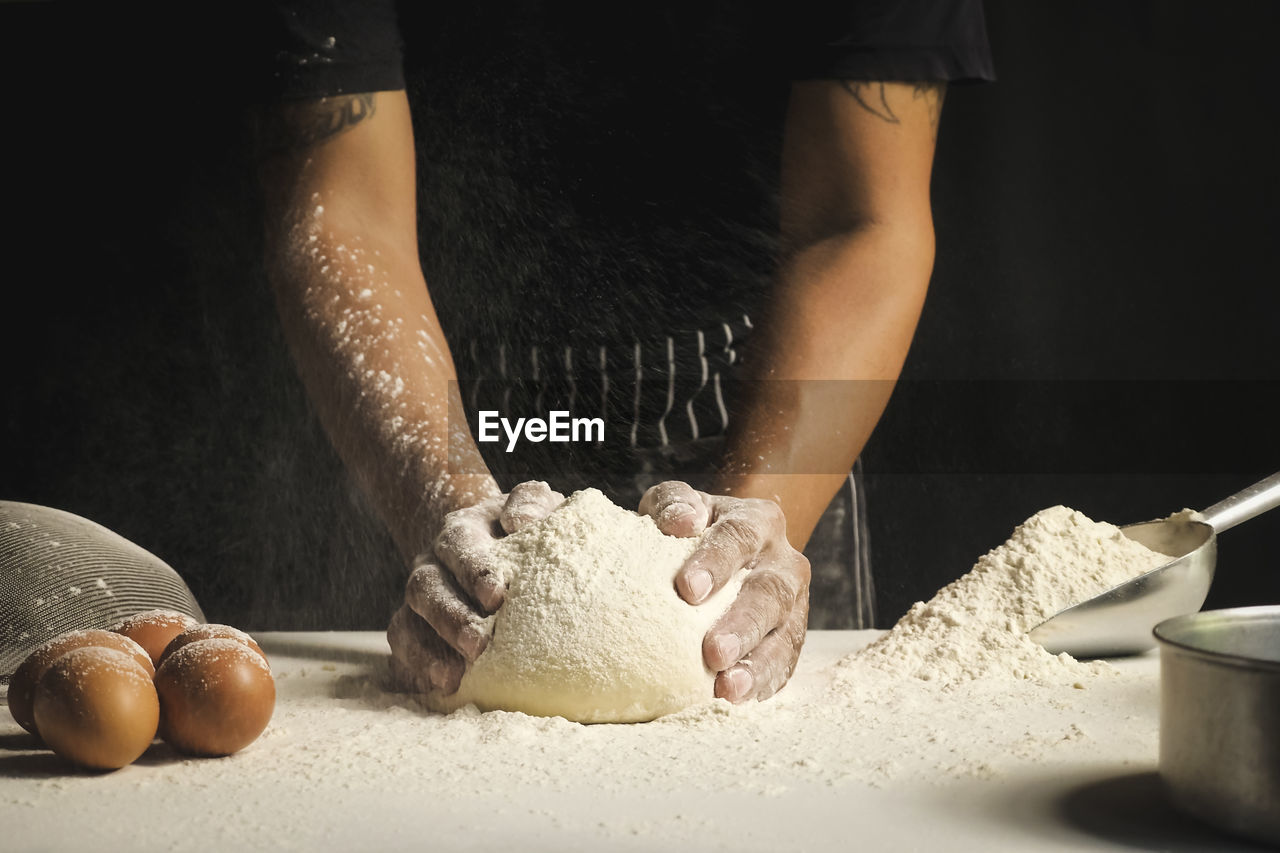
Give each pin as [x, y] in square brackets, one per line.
[342, 254]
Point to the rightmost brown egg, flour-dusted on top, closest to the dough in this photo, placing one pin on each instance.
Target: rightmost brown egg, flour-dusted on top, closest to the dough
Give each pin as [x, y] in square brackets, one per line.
[217, 697]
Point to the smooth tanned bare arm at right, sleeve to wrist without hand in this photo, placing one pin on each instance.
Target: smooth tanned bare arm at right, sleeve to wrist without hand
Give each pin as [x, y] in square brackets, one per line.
[858, 235]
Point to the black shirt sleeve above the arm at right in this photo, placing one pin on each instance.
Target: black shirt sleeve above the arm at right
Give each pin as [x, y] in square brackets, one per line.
[894, 40]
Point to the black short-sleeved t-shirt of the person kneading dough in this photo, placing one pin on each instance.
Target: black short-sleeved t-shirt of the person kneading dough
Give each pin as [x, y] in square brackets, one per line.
[597, 188]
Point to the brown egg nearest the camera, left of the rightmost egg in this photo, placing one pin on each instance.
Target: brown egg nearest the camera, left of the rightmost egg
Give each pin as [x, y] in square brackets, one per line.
[98, 708]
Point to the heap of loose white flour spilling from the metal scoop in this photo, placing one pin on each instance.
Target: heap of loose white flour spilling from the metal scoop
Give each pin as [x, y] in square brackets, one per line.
[977, 626]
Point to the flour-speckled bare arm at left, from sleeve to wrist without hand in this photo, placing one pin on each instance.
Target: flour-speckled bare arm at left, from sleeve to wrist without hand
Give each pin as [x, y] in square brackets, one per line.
[342, 256]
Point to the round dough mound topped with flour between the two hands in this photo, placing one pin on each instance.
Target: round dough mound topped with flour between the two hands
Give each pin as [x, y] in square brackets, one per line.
[593, 628]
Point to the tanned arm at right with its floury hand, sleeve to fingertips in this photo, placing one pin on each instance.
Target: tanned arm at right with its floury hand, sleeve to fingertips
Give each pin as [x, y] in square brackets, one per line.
[858, 231]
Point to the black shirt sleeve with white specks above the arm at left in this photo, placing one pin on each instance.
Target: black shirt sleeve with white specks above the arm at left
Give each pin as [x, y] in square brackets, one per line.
[323, 48]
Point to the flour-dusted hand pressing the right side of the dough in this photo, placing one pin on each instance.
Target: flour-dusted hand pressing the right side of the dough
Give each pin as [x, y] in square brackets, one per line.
[756, 645]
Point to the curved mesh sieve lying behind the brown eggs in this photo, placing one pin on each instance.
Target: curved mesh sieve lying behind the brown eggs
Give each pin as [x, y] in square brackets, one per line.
[62, 573]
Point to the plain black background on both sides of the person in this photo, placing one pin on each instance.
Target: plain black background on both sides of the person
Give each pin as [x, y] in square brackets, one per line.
[1101, 329]
